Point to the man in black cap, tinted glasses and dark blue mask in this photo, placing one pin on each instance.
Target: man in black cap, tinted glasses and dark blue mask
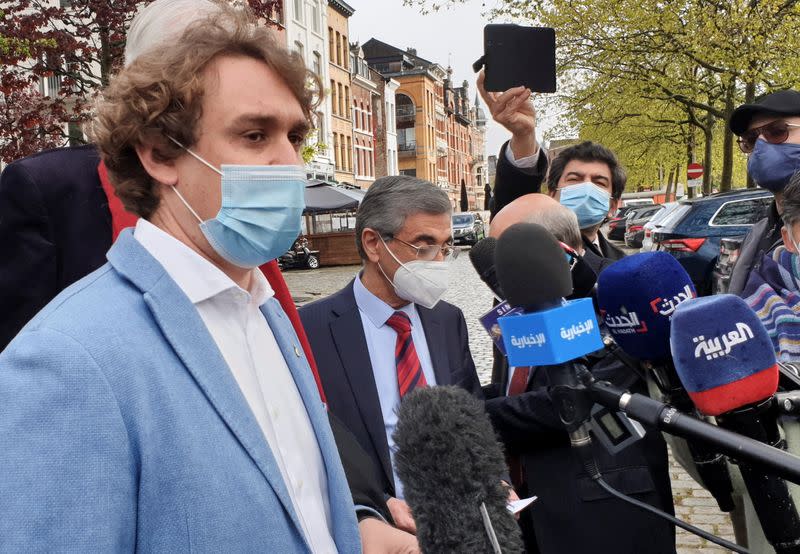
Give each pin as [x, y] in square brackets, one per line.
[769, 132]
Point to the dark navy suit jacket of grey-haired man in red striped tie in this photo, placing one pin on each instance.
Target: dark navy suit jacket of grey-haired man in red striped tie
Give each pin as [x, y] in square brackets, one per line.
[334, 328]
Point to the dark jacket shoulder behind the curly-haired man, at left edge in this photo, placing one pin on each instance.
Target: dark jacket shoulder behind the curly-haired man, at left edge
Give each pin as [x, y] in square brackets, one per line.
[55, 227]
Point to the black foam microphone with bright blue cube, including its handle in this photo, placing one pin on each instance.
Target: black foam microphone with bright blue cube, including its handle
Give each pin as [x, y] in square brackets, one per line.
[535, 275]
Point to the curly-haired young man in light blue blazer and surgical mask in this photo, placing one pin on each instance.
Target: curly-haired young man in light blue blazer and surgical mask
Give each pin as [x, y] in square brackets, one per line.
[163, 402]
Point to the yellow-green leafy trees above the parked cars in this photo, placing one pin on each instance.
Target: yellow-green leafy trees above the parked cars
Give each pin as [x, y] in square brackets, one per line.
[677, 66]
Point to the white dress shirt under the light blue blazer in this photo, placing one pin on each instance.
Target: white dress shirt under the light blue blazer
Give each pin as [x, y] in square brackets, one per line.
[247, 344]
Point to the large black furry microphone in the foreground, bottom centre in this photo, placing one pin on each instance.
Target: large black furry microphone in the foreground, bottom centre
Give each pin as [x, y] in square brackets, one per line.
[450, 463]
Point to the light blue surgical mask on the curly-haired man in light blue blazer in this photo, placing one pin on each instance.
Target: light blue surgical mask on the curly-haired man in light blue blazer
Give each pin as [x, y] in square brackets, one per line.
[260, 215]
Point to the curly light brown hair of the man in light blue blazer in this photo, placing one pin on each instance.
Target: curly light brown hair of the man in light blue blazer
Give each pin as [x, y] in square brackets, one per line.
[160, 95]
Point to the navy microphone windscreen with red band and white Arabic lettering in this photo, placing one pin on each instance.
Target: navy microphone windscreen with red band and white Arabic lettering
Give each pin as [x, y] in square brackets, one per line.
[723, 354]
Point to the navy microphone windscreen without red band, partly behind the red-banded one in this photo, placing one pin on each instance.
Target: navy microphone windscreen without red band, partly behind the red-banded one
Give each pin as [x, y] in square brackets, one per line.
[637, 295]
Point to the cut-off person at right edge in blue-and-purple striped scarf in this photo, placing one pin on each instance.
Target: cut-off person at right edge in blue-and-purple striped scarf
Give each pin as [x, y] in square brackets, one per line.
[773, 287]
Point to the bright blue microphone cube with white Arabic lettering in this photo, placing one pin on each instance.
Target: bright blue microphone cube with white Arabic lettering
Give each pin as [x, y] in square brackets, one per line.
[551, 336]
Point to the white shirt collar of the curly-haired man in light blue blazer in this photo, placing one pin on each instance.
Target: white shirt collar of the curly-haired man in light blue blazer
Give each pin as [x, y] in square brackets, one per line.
[197, 277]
